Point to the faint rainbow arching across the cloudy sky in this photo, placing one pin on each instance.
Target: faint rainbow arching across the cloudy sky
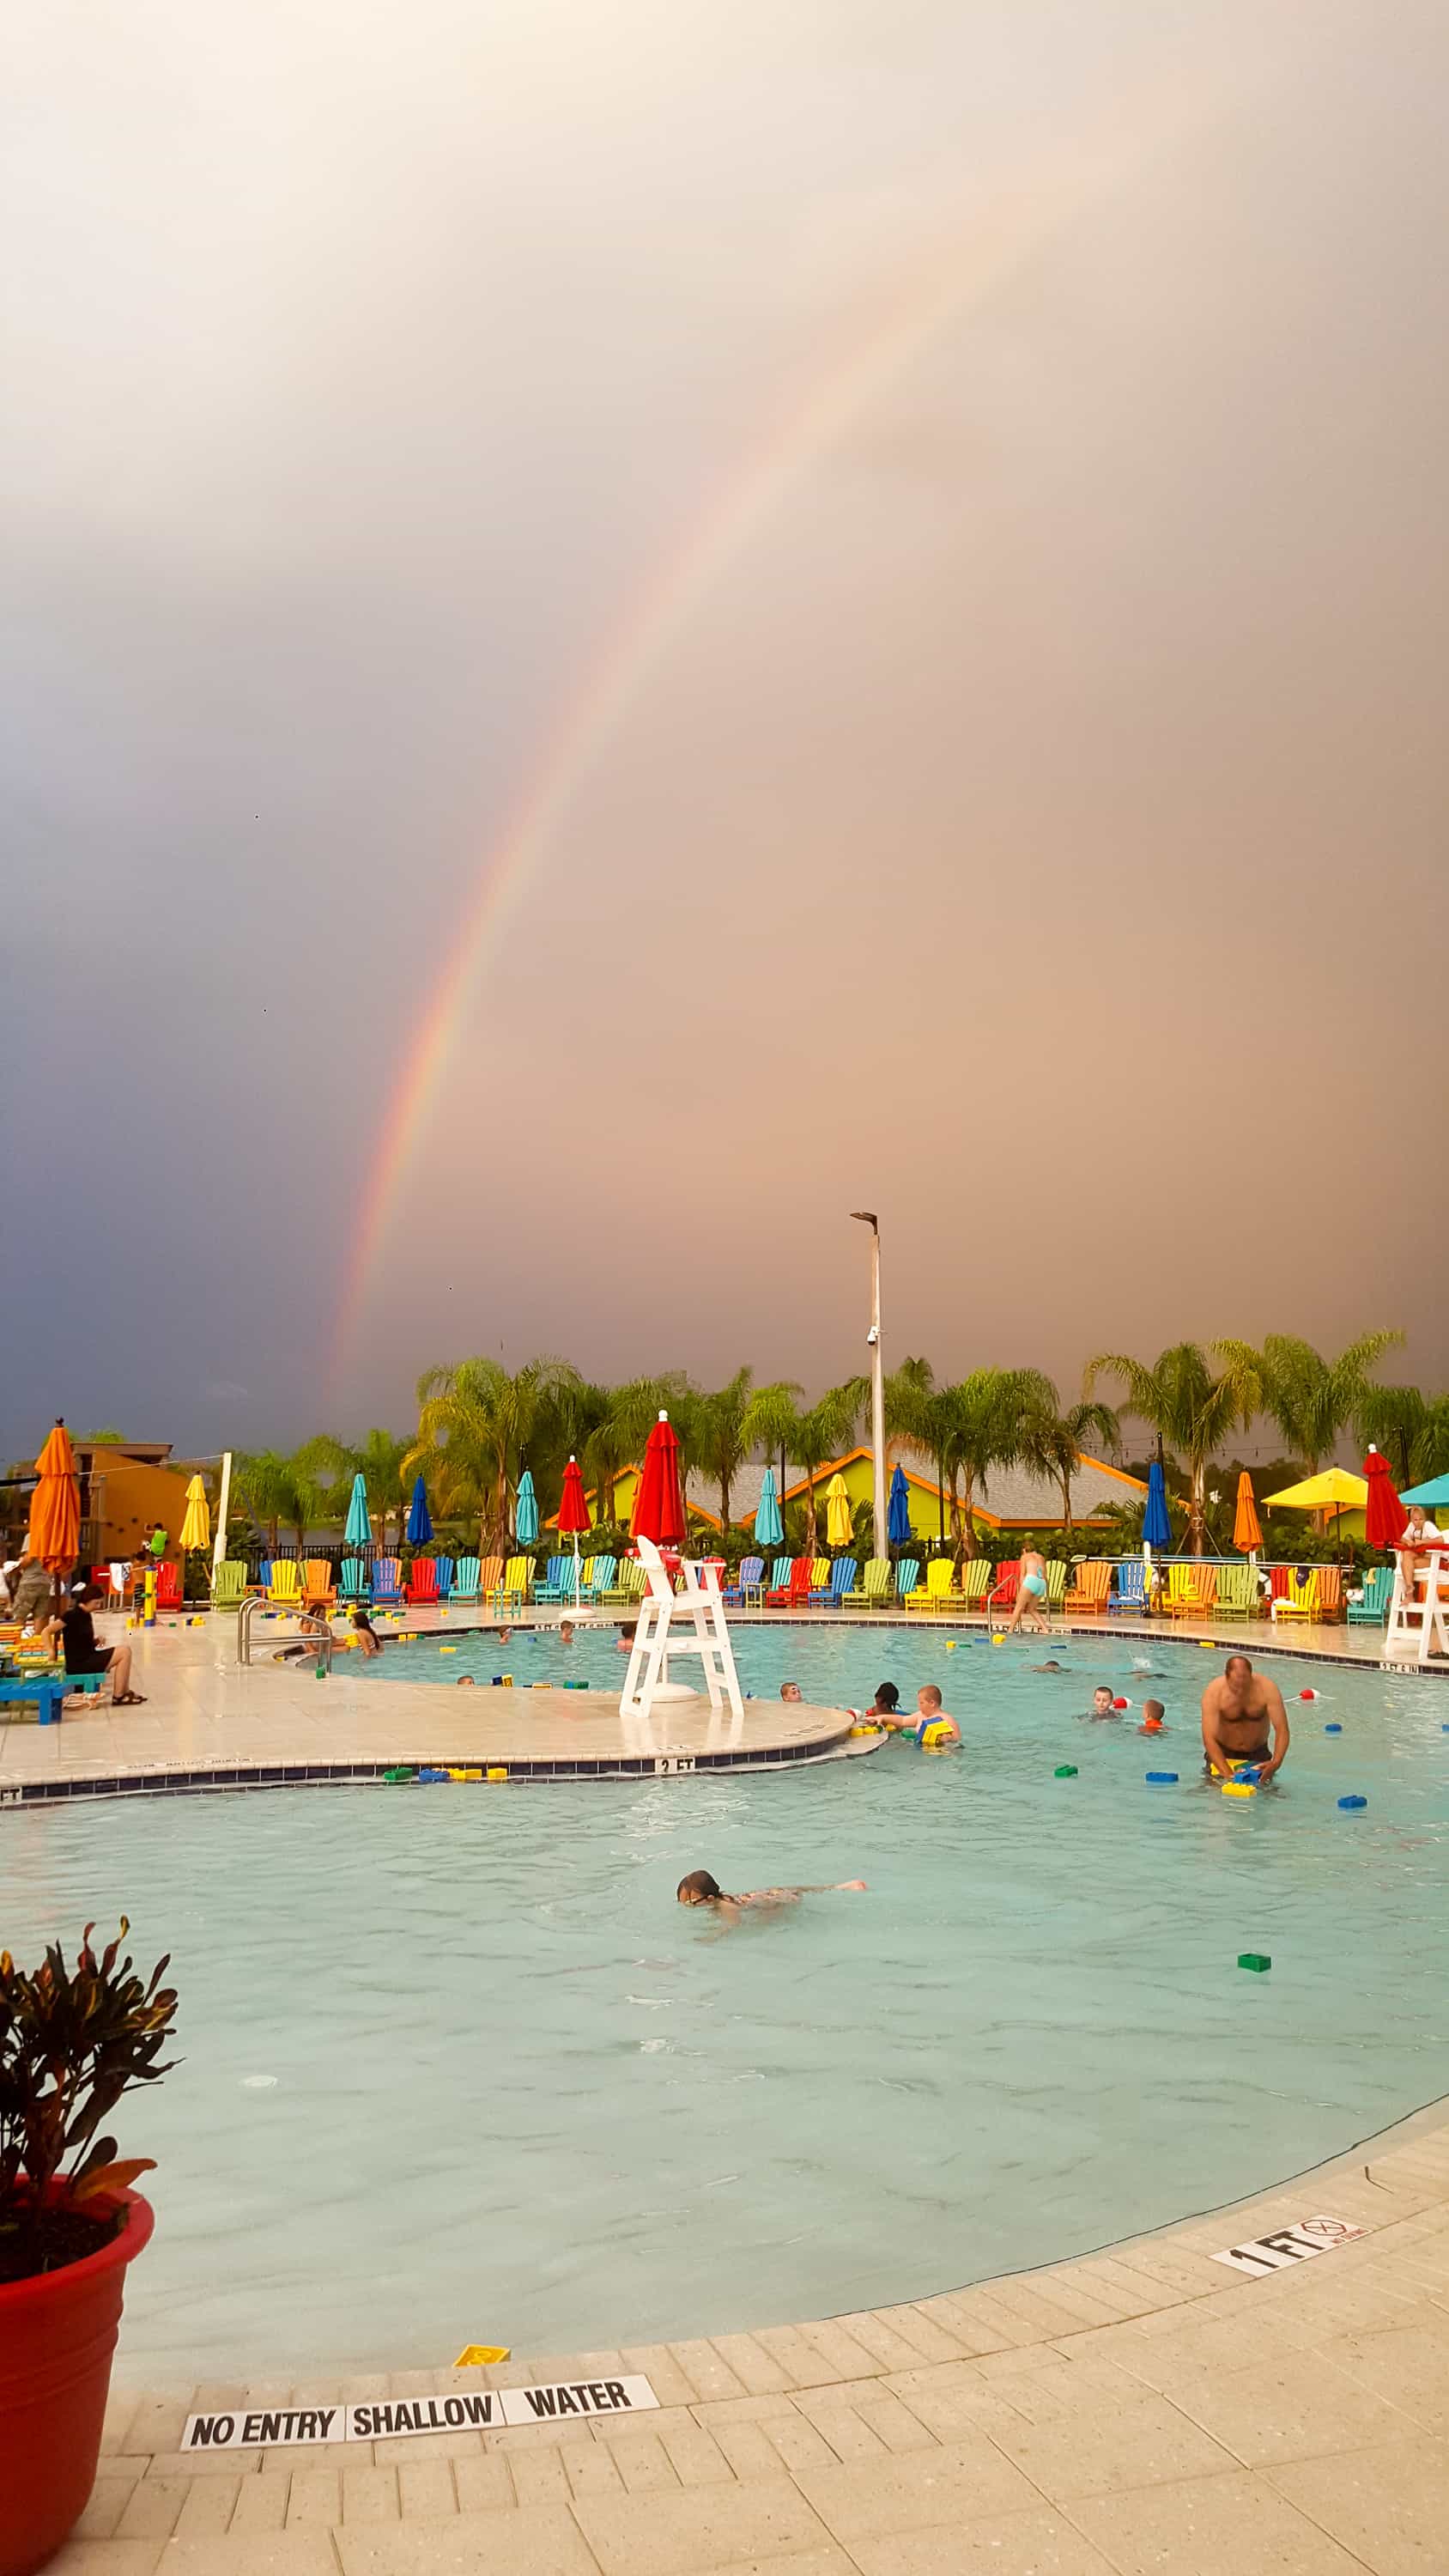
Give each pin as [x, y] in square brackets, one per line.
[961, 277]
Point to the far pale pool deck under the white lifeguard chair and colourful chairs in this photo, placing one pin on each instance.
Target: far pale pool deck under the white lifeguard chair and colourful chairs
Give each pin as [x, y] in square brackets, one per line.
[212, 1722]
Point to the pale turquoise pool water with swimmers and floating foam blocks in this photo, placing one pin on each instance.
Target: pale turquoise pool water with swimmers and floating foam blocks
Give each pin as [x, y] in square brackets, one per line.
[459, 2067]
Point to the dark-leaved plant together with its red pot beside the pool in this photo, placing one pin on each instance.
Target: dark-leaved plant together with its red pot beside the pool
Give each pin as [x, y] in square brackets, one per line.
[71, 2044]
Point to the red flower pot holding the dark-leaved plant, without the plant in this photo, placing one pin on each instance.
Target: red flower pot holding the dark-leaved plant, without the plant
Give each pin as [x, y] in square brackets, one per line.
[58, 2335]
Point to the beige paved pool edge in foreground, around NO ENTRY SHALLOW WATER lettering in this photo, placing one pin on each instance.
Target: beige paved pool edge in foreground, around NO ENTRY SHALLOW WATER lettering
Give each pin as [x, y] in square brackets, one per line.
[1144, 2410]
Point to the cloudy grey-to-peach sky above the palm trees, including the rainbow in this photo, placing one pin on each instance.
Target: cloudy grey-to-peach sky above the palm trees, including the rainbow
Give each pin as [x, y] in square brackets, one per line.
[632, 630]
